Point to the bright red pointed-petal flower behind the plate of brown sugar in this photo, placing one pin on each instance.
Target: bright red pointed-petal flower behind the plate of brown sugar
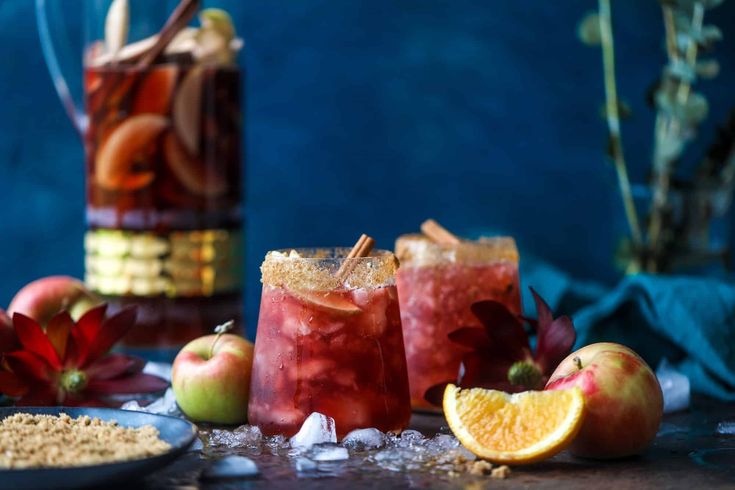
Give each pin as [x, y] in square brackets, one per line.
[69, 363]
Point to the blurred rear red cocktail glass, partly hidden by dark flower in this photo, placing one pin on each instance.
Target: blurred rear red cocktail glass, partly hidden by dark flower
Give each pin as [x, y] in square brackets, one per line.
[437, 284]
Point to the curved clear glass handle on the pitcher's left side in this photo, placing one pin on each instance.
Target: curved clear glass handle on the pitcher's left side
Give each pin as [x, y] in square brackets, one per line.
[73, 105]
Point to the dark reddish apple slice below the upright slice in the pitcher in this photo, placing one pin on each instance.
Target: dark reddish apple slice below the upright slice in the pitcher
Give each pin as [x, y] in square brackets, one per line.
[190, 171]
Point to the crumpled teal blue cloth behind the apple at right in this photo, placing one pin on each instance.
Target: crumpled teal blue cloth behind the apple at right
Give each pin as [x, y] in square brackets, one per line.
[688, 320]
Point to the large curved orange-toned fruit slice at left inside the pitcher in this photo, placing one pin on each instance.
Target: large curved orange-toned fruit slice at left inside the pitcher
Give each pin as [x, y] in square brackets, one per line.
[116, 158]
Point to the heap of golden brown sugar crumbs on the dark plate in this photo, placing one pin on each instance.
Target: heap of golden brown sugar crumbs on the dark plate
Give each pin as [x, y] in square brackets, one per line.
[45, 441]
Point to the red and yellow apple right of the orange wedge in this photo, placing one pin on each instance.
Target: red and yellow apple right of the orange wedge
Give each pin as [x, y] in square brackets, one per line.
[623, 400]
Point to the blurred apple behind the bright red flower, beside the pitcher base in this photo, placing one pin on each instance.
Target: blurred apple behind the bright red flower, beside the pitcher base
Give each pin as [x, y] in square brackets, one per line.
[45, 297]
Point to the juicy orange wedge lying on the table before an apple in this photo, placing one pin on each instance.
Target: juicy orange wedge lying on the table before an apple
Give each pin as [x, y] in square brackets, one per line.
[514, 429]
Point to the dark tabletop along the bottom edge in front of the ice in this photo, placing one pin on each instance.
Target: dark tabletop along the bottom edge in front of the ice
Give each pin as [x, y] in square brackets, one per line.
[687, 453]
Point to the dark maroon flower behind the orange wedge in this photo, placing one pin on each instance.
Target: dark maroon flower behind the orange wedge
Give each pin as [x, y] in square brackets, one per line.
[500, 355]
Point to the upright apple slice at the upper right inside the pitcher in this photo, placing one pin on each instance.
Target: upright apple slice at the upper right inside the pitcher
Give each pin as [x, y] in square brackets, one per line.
[188, 108]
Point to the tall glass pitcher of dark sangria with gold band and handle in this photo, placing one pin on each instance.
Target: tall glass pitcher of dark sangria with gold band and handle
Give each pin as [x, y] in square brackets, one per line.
[159, 111]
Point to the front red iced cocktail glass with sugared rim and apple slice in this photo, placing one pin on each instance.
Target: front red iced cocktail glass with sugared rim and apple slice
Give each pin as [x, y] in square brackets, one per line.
[328, 346]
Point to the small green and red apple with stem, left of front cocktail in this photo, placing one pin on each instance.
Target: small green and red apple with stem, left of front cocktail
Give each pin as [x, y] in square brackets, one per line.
[211, 378]
